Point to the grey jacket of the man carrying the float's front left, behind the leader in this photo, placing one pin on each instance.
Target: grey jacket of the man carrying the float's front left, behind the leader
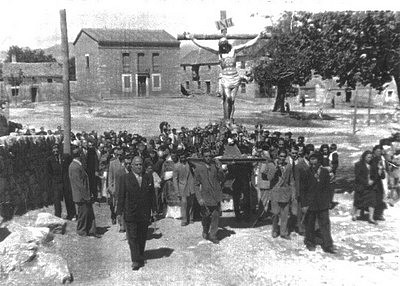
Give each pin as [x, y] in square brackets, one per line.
[207, 184]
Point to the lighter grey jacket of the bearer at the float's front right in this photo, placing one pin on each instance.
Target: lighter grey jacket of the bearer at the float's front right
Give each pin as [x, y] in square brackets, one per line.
[282, 187]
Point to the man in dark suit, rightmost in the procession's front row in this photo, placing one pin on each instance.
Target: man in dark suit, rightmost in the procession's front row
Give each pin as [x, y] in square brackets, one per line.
[316, 200]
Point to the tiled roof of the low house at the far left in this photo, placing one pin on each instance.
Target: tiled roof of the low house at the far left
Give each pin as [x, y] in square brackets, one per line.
[49, 69]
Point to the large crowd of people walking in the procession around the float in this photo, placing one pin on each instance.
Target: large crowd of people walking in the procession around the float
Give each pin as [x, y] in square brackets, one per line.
[179, 174]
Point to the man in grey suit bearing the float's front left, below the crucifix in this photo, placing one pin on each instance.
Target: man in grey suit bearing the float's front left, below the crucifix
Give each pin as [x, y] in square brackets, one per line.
[208, 177]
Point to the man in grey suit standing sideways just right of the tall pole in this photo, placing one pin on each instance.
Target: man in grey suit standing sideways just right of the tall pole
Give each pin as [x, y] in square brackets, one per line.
[81, 195]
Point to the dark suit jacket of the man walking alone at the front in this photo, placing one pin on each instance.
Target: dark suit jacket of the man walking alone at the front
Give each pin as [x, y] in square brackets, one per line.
[135, 201]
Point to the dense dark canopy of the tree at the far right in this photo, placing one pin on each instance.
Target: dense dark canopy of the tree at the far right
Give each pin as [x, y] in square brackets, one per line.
[354, 46]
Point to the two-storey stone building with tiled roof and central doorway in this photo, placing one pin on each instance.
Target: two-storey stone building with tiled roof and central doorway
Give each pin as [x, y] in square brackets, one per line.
[124, 63]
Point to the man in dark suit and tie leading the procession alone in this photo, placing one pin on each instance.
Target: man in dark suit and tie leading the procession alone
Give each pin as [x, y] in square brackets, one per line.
[135, 197]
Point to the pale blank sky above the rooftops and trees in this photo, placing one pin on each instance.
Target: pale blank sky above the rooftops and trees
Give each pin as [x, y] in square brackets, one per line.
[36, 23]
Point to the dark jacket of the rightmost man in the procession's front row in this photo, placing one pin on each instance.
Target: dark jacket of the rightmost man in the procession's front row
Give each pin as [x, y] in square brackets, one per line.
[318, 194]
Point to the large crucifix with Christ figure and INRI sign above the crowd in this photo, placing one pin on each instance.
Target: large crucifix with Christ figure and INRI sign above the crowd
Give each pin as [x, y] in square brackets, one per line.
[229, 78]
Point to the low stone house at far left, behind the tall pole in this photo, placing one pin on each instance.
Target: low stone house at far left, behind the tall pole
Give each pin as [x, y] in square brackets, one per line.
[31, 81]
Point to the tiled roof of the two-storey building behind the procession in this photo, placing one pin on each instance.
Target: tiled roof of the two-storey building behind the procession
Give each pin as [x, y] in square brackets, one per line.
[131, 37]
